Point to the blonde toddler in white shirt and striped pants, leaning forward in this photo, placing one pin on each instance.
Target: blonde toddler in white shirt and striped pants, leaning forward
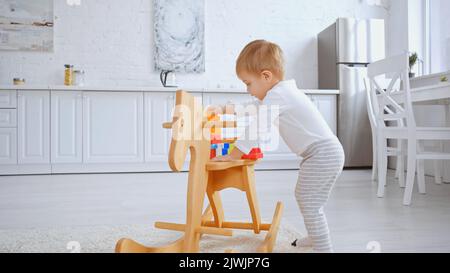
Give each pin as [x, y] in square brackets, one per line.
[260, 66]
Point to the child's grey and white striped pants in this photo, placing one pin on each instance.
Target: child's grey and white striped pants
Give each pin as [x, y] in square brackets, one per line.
[322, 164]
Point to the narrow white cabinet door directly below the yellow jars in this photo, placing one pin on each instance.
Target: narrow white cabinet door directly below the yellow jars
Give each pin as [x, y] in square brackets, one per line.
[66, 126]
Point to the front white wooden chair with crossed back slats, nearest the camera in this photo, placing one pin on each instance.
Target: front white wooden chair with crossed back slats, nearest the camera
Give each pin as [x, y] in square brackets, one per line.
[388, 109]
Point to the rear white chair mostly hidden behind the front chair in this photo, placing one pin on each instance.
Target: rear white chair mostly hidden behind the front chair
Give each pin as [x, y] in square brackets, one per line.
[391, 151]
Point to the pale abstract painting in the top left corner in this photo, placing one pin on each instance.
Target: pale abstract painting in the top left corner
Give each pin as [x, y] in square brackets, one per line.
[26, 25]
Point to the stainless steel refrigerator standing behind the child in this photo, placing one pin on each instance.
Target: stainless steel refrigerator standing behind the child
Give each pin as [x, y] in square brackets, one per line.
[344, 50]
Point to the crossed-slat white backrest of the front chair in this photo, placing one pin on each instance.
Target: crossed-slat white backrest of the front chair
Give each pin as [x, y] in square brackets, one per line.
[387, 78]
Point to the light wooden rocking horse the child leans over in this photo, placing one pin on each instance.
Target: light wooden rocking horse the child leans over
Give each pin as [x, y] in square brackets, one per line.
[205, 178]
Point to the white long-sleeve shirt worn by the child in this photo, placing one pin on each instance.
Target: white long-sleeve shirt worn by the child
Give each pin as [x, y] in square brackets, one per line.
[296, 119]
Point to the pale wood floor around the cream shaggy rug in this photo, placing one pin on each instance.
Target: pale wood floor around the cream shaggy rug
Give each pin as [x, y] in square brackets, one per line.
[355, 215]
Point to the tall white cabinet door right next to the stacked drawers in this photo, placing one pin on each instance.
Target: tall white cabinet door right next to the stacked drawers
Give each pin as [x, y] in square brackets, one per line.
[33, 127]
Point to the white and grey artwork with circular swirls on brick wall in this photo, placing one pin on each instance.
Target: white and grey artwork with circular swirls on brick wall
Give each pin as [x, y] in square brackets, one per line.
[179, 31]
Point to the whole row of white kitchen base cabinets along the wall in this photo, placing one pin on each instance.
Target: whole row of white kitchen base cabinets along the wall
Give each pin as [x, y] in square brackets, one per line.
[66, 130]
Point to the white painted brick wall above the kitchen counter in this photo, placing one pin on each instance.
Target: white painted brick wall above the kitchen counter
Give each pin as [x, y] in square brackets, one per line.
[113, 40]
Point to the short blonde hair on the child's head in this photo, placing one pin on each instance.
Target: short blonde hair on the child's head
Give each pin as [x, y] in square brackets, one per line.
[261, 55]
